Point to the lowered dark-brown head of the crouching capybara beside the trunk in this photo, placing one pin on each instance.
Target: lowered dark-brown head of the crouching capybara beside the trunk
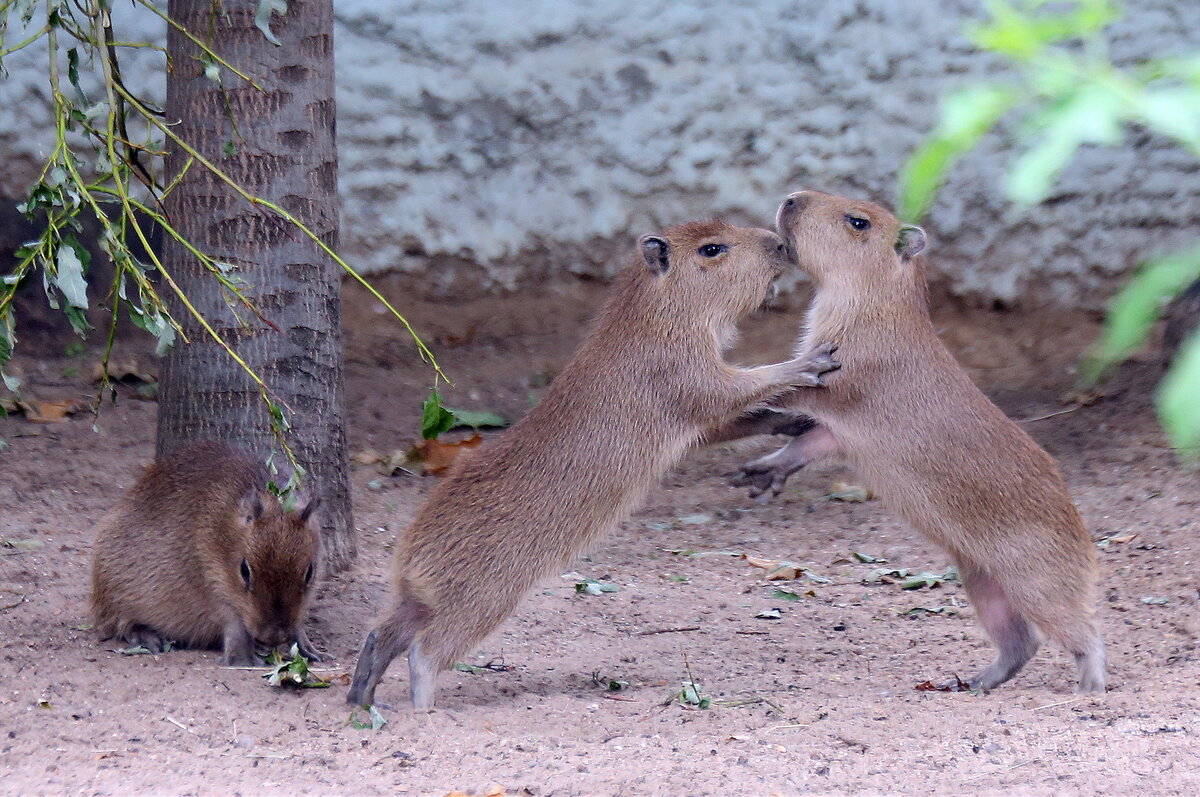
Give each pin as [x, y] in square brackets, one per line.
[278, 570]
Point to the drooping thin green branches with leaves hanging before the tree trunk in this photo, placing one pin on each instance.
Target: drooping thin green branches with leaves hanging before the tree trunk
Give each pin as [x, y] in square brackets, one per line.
[106, 164]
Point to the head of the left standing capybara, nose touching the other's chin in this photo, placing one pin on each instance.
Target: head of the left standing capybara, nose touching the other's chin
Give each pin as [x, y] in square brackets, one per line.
[713, 268]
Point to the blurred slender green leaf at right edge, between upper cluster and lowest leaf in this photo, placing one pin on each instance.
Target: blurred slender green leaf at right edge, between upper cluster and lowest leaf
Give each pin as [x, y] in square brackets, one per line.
[1136, 309]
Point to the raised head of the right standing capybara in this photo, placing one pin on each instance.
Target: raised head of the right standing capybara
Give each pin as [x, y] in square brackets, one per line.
[836, 241]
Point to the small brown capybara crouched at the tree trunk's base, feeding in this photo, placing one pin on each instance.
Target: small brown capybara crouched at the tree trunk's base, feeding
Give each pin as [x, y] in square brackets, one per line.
[169, 558]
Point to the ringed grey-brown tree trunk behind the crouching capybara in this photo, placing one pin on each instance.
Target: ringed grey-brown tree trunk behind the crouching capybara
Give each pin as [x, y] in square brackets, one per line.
[279, 145]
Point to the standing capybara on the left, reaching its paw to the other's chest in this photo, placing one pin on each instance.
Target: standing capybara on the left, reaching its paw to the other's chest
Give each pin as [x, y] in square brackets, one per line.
[639, 392]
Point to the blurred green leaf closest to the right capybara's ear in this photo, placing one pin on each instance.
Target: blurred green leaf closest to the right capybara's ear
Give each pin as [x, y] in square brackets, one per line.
[965, 117]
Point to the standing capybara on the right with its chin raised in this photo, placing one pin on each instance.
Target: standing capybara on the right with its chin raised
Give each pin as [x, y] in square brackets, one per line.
[935, 450]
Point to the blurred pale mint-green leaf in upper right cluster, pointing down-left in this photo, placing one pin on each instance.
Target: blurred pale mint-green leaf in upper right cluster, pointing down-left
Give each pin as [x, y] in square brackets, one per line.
[1090, 116]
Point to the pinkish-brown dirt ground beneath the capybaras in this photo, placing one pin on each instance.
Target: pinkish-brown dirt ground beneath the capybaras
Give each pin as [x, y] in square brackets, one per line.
[821, 700]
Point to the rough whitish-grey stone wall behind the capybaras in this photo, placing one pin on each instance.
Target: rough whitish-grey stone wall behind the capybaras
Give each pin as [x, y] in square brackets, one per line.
[494, 145]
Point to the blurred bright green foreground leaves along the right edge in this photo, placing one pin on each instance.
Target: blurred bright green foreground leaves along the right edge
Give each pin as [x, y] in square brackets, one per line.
[1064, 93]
